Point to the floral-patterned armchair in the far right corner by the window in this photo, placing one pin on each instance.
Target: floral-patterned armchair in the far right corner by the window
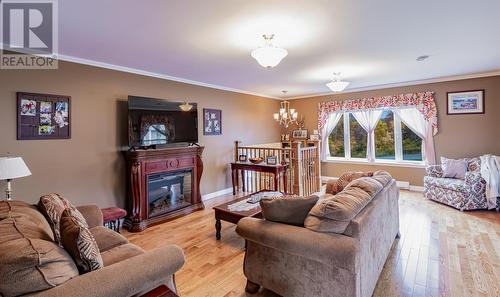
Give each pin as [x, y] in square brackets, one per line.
[466, 194]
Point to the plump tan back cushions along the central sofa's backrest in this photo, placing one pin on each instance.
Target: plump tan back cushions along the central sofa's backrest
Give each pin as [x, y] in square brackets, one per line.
[332, 215]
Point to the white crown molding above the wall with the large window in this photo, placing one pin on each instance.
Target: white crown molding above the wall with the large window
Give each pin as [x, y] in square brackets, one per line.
[403, 84]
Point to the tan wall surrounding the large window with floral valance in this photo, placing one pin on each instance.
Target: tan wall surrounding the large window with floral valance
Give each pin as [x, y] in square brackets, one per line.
[459, 135]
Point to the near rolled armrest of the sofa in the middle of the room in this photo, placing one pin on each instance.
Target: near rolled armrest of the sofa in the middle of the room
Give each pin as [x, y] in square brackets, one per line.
[332, 249]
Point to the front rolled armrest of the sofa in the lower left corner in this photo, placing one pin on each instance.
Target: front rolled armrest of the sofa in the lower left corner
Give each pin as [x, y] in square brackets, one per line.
[126, 278]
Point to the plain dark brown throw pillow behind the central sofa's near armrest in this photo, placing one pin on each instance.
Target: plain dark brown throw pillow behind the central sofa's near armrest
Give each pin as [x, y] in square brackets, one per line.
[288, 210]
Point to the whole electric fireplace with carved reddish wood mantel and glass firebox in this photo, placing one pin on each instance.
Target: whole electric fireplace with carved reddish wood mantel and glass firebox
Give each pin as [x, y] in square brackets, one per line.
[163, 184]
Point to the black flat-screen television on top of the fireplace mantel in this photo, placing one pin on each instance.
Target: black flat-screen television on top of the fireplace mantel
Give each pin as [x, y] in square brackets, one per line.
[153, 122]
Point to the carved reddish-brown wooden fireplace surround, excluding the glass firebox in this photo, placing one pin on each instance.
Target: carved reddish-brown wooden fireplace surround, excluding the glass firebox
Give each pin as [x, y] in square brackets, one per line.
[143, 163]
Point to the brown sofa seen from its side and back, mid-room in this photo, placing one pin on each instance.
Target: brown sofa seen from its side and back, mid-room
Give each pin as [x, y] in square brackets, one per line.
[296, 261]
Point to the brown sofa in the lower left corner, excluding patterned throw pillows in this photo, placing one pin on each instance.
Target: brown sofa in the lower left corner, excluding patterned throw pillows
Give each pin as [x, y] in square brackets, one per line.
[30, 259]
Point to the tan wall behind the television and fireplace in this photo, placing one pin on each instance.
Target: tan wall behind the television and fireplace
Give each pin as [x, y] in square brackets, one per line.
[89, 168]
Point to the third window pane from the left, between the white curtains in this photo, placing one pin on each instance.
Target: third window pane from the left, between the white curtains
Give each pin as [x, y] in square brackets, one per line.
[384, 137]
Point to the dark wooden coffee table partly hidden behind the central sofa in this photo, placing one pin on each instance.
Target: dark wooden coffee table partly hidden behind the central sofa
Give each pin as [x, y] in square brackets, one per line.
[223, 213]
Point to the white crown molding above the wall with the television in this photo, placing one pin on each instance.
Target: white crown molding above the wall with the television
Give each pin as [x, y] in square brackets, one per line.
[156, 75]
